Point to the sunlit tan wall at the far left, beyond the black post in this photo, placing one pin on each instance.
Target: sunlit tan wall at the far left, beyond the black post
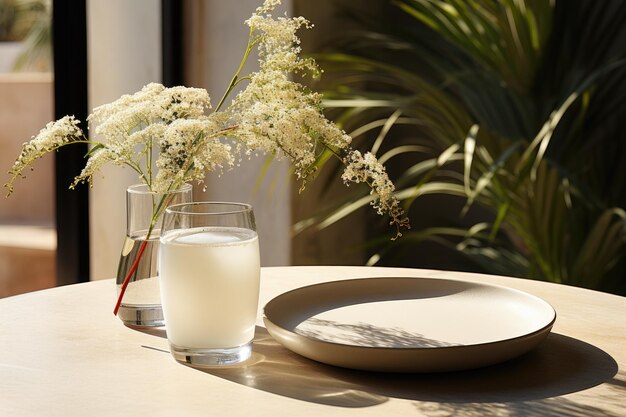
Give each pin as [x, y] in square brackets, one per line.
[27, 233]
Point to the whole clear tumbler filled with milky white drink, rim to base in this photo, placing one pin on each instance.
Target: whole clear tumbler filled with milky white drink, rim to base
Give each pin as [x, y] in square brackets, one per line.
[209, 269]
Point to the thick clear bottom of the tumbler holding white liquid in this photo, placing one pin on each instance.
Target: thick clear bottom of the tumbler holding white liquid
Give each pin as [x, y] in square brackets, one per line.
[200, 357]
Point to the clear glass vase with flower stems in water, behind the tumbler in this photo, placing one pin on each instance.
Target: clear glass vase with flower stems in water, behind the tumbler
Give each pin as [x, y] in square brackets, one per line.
[141, 302]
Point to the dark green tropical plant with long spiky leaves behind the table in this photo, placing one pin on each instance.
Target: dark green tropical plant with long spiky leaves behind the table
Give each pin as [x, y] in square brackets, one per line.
[516, 107]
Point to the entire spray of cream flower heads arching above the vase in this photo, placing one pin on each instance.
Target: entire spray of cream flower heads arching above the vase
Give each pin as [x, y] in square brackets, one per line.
[273, 114]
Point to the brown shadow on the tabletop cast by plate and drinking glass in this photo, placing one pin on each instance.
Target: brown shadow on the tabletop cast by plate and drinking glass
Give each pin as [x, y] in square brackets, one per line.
[560, 365]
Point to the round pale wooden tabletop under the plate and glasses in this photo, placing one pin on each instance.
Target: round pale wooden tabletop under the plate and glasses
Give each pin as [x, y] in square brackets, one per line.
[63, 353]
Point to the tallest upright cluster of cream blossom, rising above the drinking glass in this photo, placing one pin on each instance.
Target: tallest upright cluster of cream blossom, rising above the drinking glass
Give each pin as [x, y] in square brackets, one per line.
[274, 113]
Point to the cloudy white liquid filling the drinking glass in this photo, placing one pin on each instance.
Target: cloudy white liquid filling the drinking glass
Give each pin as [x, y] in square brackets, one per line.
[210, 286]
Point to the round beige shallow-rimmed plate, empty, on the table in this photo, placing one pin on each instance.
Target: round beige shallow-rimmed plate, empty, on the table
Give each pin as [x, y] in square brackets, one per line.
[408, 324]
